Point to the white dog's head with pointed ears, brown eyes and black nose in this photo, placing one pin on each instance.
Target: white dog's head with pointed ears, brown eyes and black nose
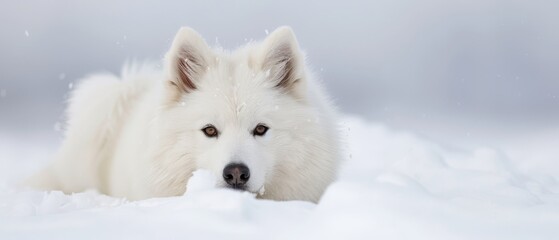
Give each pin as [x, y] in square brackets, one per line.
[241, 114]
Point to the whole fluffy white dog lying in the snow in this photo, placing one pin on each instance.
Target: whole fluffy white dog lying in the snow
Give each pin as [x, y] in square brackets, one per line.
[254, 117]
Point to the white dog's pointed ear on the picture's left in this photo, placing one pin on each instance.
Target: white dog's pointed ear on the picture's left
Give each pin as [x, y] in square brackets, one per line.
[187, 60]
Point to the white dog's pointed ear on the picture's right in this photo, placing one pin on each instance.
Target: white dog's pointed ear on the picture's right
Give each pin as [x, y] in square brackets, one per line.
[282, 59]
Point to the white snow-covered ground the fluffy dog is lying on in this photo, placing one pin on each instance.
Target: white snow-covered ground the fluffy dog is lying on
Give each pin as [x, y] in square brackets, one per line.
[393, 185]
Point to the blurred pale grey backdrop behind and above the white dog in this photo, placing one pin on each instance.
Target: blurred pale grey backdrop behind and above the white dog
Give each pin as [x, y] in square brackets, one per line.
[409, 64]
